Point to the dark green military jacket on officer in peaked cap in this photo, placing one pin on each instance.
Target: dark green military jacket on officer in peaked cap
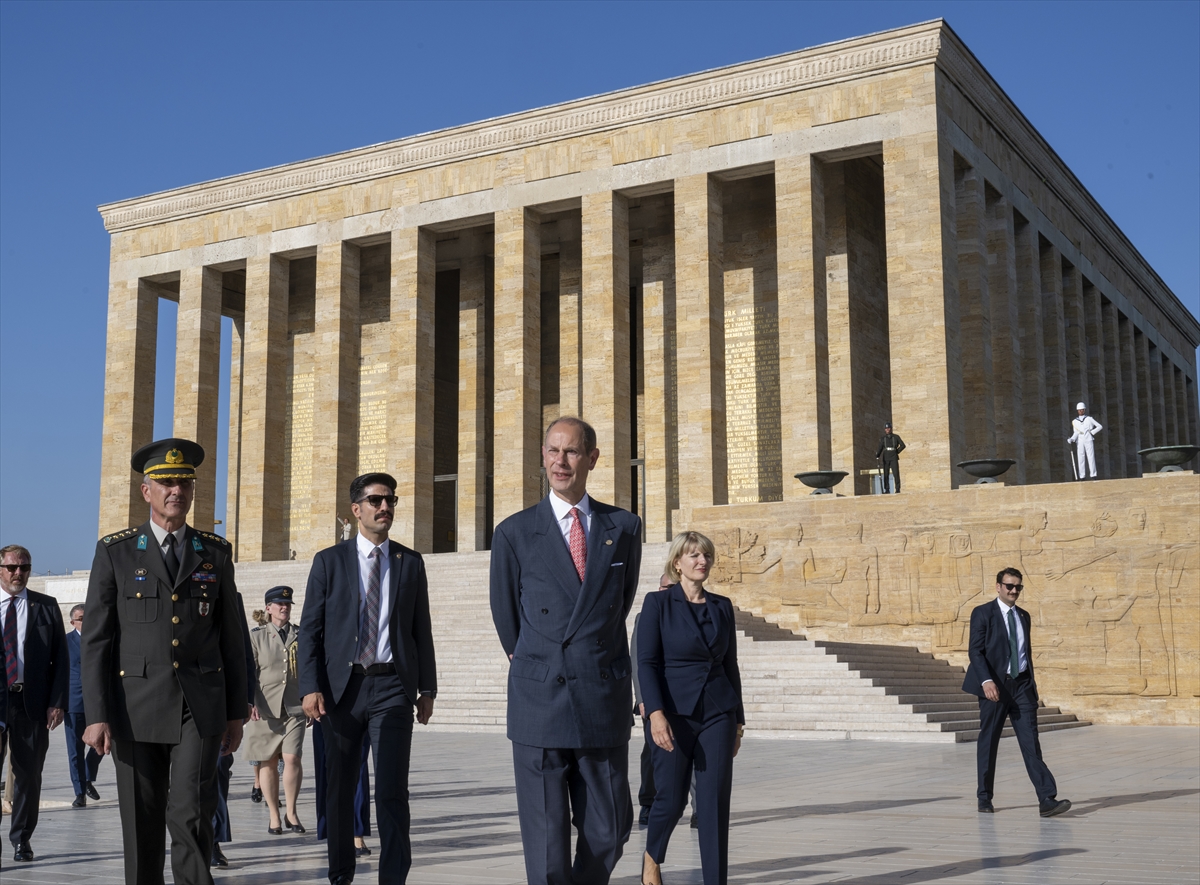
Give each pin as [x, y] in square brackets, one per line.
[152, 645]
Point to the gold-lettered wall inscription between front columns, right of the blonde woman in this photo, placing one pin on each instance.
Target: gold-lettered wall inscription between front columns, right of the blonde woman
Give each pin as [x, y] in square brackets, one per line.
[752, 405]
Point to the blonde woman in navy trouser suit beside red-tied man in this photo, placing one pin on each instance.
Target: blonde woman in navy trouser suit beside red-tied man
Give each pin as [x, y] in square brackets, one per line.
[688, 671]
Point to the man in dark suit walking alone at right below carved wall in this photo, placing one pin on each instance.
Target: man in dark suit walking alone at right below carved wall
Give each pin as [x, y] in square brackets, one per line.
[1001, 675]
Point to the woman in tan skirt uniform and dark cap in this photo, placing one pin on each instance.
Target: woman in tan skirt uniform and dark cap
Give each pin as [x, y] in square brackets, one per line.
[278, 721]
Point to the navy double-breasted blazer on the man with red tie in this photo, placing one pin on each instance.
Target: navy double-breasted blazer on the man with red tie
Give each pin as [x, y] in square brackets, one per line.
[569, 678]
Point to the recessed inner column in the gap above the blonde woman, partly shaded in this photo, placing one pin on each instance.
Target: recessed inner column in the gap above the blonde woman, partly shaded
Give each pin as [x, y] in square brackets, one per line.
[661, 429]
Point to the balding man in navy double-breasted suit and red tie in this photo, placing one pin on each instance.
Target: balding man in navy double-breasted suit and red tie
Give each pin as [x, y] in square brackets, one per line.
[563, 579]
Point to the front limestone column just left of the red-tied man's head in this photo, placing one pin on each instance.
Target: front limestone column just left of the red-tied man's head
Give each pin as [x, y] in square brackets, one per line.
[517, 460]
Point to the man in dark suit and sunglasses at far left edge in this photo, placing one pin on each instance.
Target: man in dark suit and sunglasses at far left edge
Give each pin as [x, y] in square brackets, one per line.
[35, 658]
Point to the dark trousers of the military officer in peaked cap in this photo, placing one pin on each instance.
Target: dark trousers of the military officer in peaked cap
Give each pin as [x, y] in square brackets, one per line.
[176, 782]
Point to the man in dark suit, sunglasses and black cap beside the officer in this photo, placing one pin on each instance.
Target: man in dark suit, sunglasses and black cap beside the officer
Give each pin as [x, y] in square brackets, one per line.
[367, 665]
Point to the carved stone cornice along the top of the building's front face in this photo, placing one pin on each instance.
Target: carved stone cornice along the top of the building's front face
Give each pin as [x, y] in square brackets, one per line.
[833, 63]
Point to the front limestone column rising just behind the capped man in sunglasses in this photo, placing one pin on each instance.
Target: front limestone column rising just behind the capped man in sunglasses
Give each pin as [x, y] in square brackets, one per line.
[411, 399]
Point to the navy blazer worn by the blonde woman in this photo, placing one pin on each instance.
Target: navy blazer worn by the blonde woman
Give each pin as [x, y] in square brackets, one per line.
[676, 666]
